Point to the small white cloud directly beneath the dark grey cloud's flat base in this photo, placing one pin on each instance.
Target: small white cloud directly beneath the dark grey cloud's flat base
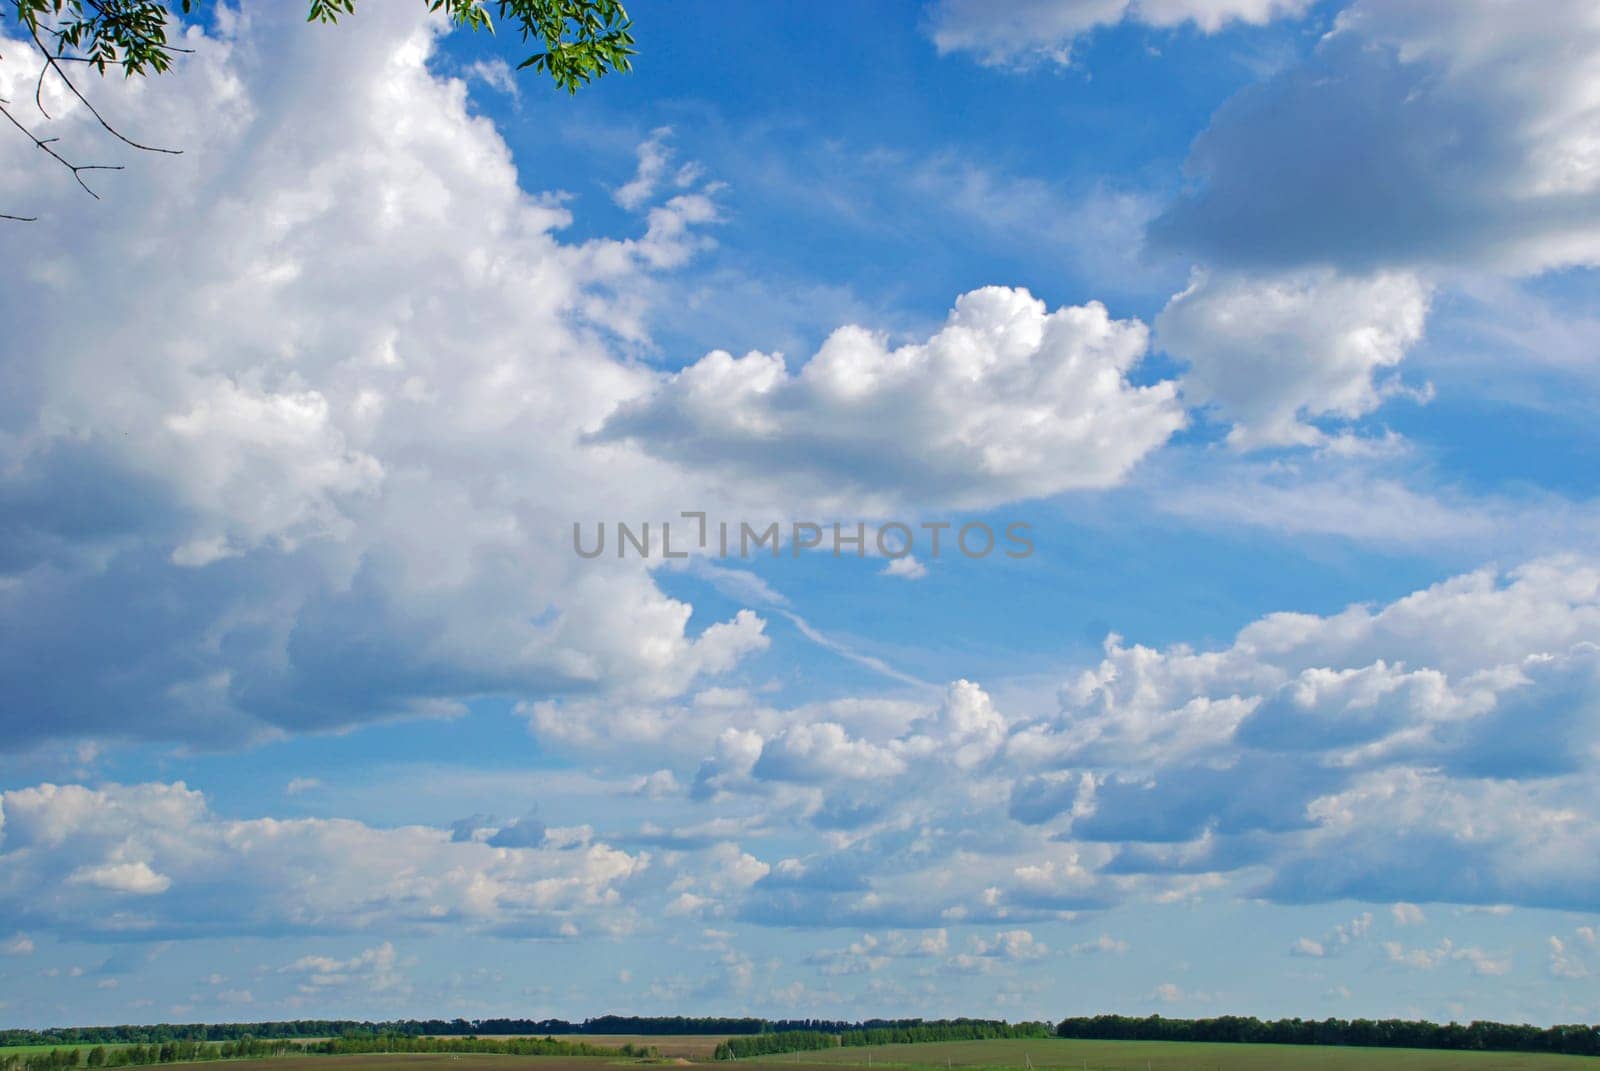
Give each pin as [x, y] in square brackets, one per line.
[1274, 353]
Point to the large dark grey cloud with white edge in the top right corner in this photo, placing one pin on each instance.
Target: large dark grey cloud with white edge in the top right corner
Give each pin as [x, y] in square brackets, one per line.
[1418, 134]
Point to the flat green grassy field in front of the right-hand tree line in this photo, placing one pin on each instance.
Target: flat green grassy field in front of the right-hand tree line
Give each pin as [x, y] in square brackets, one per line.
[1164, 1056]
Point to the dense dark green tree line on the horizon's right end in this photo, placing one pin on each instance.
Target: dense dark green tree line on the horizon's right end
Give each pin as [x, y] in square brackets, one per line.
[1390, 1033]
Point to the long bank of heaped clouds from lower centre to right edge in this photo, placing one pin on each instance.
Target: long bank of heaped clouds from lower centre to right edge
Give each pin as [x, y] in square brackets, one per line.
[1436, 748]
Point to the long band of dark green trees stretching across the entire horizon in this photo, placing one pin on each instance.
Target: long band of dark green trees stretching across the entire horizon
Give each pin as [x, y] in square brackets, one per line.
[170, 1043]
